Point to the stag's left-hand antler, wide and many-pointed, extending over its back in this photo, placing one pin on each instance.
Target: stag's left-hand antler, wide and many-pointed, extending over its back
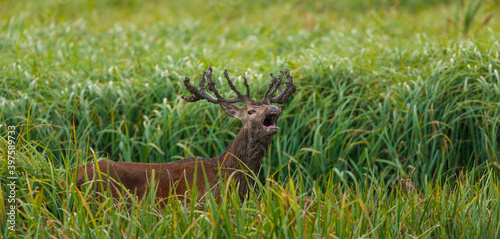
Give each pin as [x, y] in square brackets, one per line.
[201, 93]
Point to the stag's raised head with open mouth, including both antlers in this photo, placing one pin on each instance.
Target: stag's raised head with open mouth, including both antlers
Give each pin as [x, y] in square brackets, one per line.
[260, 117]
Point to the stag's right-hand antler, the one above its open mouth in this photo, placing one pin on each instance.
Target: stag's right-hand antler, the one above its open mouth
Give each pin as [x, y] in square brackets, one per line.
[276, 86]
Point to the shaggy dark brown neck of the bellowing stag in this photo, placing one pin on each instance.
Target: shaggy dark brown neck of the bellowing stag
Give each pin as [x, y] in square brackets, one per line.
[246, 151]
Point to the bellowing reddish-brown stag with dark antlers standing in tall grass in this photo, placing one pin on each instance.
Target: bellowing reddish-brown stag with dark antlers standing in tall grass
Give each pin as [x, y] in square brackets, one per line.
[244, 154]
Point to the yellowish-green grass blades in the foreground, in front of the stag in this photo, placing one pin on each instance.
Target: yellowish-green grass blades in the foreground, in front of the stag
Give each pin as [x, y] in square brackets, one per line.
[465, 206]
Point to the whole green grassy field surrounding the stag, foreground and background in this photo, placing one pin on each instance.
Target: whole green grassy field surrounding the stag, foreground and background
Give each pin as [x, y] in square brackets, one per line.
[386, 90]
